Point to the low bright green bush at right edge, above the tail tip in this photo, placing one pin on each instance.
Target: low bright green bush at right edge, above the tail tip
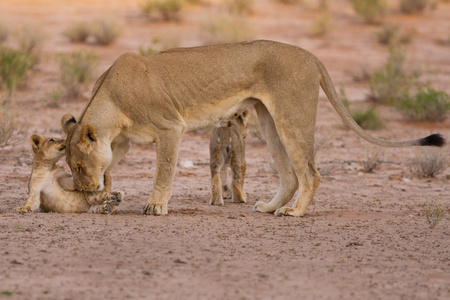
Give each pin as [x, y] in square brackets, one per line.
[427, 104]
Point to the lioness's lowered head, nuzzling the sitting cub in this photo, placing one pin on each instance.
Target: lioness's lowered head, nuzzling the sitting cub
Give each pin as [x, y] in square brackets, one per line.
[86, 156]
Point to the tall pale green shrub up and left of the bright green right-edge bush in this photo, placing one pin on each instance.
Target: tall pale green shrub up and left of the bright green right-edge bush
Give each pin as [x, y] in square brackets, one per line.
[392, 80]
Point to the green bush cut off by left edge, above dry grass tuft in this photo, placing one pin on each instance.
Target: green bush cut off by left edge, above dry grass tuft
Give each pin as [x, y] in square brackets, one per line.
[14, 68]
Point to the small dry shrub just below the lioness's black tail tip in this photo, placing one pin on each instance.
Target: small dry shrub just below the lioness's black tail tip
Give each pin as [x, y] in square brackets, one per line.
[429, 163]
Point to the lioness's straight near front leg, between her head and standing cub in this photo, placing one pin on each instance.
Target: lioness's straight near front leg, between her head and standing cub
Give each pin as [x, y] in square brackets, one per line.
[167, 145]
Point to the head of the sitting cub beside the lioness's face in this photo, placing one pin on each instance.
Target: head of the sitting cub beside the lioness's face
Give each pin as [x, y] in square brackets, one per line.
[49, 150]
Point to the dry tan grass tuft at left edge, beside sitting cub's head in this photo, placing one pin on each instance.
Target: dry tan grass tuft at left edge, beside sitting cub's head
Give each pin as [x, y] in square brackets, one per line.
[12, 130]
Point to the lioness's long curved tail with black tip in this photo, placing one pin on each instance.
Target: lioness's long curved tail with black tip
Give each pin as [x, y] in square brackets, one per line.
[330, 91]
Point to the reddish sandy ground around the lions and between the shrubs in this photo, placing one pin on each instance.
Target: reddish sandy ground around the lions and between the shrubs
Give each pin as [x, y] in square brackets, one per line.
[365, 236]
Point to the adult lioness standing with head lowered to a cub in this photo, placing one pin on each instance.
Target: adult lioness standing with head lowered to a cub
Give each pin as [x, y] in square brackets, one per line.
[159, 97]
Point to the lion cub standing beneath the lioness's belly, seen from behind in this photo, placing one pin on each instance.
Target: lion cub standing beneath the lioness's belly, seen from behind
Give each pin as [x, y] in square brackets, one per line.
[227, 149]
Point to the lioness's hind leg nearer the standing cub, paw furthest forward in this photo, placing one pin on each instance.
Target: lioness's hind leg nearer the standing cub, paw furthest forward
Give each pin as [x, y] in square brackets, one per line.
[288, 178]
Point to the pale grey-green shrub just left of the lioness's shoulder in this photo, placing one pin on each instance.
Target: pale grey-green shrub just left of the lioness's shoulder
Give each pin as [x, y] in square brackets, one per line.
[76, 71]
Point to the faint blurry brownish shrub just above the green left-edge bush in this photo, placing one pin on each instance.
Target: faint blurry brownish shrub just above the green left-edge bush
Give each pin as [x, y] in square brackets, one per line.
[30, 37]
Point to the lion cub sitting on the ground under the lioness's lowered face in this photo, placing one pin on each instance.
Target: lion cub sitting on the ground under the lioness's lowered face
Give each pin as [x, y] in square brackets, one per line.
[51, 189]
